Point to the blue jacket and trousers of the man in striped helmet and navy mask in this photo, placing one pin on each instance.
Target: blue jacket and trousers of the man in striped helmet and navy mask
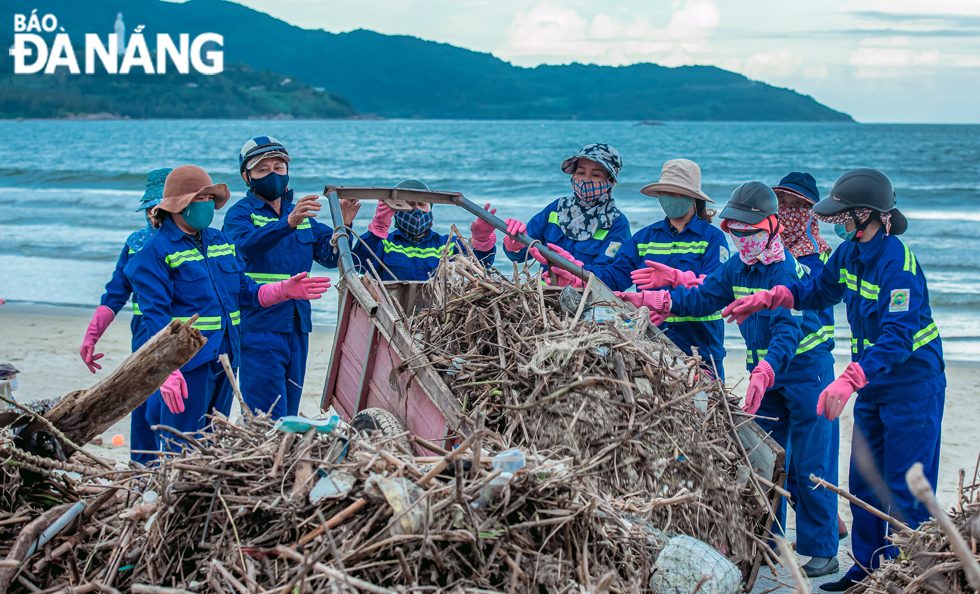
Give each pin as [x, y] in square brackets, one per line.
[275, 340]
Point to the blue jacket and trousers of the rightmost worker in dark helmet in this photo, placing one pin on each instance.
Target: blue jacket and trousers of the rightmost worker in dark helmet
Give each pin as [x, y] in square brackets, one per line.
[898, 415]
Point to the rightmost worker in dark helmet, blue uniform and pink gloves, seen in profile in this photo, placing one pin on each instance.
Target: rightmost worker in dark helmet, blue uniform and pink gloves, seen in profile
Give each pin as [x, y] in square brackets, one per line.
[897, 368]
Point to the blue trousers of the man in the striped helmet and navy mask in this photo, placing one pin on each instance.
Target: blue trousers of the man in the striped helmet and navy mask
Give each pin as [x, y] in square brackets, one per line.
[273, 370]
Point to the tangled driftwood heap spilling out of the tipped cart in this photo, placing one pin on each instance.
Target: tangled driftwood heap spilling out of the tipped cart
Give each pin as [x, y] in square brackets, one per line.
[651, 428]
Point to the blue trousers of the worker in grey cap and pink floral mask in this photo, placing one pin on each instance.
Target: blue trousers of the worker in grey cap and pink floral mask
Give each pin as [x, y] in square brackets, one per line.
[812, 444]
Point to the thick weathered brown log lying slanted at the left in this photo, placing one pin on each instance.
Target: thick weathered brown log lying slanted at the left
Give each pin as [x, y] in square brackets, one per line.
[83, 414]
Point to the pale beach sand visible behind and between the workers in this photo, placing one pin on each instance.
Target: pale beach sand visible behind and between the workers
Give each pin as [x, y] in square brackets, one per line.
[42, 342]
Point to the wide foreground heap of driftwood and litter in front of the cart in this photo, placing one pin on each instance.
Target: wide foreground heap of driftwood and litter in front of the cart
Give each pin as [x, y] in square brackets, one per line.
[251, 508]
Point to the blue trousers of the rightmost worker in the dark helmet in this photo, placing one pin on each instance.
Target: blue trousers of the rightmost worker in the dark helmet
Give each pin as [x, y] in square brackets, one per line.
[890, 438]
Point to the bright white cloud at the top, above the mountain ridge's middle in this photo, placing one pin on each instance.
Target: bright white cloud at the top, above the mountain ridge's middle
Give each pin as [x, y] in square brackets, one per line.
[547, 32]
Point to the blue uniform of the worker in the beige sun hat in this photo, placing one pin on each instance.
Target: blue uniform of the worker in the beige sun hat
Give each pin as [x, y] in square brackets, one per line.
[699, 248]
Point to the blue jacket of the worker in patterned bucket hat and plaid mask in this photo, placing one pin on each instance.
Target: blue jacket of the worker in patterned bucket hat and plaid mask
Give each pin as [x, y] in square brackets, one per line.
[601, 248]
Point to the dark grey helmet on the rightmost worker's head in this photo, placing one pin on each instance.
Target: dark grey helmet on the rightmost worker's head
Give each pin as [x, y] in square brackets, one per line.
[863, 188]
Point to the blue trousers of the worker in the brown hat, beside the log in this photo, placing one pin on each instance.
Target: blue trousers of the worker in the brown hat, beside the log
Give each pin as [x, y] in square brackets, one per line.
[208, 390]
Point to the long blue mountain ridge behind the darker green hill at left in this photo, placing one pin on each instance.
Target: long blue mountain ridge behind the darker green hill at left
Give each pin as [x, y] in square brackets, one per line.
[403, 76]
